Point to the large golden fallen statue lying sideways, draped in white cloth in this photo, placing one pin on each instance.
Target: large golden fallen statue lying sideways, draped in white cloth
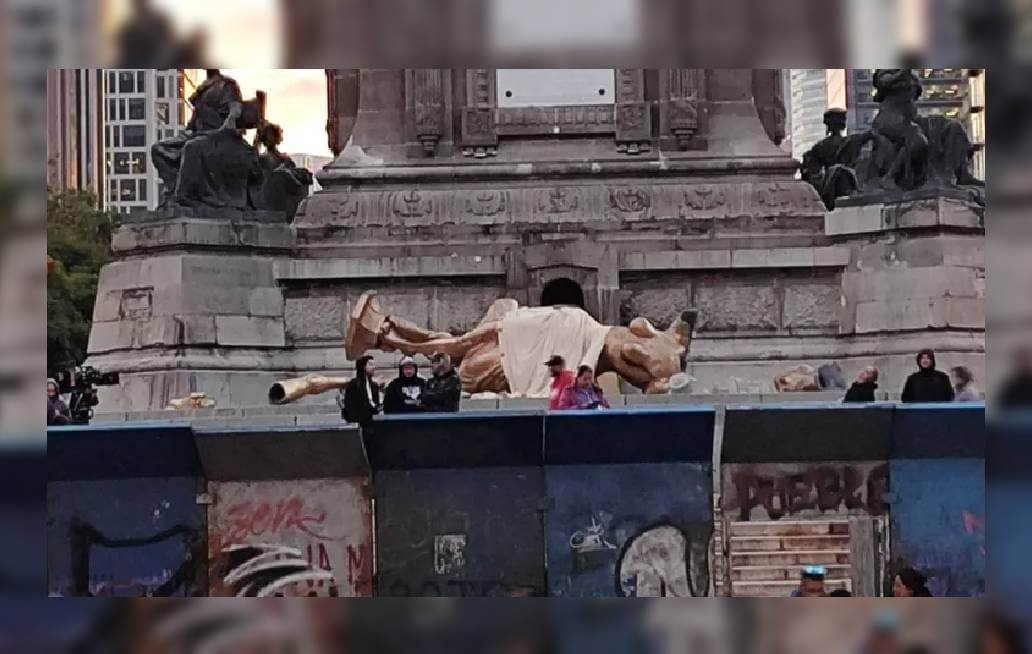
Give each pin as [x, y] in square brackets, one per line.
[642, 355]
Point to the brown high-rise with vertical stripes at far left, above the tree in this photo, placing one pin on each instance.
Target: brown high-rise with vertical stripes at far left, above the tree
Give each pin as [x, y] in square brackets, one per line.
[75, 129]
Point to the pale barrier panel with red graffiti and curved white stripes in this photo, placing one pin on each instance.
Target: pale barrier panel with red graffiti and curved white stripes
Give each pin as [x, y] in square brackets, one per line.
[304, 539]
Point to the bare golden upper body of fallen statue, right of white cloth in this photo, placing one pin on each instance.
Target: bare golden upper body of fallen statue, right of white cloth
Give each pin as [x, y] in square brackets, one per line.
[661, 354]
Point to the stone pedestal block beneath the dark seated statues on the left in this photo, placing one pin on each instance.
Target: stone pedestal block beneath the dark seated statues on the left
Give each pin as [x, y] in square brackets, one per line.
[191, 305]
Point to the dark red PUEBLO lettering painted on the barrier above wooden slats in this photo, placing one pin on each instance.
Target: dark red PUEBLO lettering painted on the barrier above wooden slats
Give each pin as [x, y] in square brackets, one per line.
[772, 492]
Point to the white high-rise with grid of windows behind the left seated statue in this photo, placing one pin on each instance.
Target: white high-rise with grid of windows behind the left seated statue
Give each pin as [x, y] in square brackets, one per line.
[142, 107]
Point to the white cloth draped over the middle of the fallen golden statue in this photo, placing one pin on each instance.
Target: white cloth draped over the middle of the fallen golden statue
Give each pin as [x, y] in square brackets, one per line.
[530, 337]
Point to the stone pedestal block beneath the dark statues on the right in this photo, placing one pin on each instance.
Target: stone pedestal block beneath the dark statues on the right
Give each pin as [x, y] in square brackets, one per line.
[917, 279]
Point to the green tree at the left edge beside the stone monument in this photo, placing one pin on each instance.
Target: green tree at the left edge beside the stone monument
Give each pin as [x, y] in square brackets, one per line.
[79, 240]
